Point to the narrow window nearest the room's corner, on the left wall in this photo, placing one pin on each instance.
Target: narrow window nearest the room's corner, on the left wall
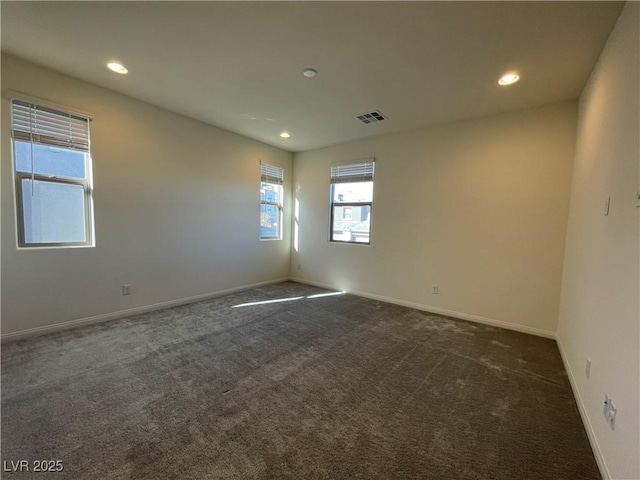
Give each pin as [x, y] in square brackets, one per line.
[272, 178]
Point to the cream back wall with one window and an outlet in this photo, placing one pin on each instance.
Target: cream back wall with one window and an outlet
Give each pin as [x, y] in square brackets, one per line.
[477, 207]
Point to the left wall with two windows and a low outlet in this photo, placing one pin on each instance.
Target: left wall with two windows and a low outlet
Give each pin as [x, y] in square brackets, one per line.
[176, 210]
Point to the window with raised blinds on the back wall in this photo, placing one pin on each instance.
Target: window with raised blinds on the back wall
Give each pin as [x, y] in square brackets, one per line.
[351, 200]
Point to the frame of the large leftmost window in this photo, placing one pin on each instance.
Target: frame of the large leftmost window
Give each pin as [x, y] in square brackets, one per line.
[86, 183]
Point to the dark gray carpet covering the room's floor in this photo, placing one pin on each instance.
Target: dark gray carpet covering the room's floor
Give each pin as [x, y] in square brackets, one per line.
[331, 387]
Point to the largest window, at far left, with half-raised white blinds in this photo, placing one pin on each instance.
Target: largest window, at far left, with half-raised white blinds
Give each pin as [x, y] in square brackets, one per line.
[52, 166]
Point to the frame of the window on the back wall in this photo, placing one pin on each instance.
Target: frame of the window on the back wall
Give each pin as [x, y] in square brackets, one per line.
[357, 171]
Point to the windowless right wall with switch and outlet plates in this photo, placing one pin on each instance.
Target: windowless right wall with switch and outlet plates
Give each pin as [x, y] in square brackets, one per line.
[599, 312]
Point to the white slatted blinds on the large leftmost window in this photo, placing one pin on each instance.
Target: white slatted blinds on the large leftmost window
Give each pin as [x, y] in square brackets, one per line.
[36, 124]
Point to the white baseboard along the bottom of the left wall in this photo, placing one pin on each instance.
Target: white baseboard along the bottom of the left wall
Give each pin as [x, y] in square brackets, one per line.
[56, 327]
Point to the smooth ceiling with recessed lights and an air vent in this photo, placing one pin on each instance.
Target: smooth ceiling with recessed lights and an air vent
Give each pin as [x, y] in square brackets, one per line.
[238, 65]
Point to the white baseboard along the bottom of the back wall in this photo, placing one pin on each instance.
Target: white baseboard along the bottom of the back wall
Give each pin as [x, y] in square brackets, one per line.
[441, 311]
